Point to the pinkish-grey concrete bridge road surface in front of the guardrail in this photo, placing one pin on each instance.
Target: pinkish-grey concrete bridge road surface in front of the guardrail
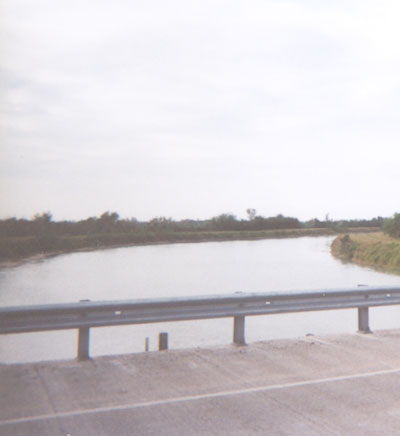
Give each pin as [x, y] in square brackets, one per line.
[336, 385]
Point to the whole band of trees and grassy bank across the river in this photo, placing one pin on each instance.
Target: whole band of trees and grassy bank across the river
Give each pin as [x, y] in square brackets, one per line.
[21, 238]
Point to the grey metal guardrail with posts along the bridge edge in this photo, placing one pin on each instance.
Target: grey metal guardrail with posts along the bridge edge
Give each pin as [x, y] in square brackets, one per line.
[87, 314]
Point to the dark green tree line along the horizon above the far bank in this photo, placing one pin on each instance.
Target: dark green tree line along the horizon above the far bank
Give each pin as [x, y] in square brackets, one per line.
[111, 223]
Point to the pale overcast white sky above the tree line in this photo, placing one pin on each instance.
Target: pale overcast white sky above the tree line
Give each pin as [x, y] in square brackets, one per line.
[190, 109]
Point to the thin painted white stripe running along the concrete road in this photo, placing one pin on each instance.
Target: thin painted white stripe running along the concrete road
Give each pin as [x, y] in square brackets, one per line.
[198, 397]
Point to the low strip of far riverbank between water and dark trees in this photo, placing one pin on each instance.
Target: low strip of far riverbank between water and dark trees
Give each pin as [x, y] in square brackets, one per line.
[221, 236]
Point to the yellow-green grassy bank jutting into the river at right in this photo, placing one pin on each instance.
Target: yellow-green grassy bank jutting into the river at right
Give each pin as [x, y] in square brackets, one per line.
[375, 249]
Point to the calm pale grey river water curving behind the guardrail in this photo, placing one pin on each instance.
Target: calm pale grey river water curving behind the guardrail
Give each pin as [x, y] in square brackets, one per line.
[183, 270]
